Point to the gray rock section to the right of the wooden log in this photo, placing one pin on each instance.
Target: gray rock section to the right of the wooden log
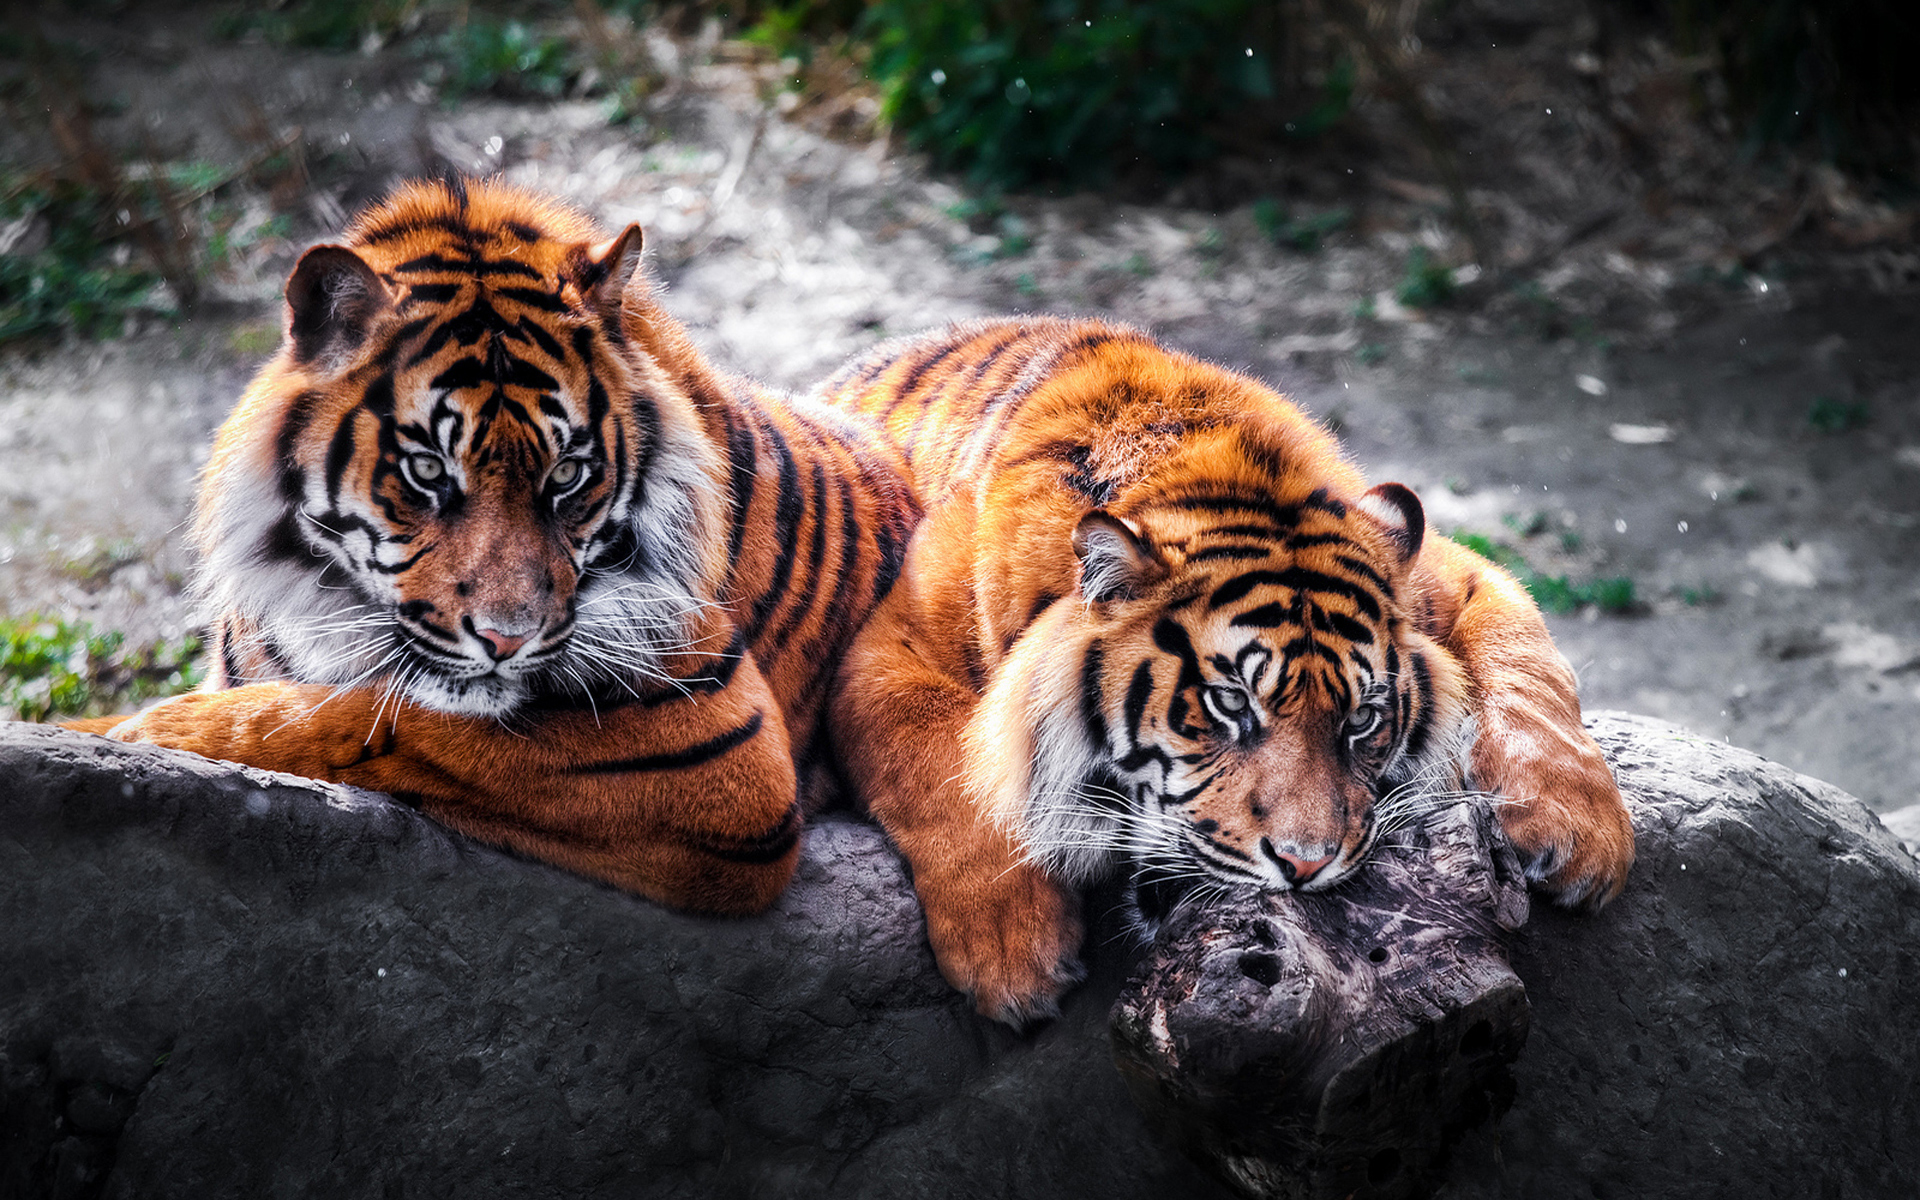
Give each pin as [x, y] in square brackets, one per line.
[1744, 1020]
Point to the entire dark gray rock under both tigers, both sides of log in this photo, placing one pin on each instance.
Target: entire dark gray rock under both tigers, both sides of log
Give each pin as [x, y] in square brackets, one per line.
[218, 982]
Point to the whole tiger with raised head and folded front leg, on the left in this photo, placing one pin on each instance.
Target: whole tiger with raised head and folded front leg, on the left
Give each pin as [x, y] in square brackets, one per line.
[489, 535]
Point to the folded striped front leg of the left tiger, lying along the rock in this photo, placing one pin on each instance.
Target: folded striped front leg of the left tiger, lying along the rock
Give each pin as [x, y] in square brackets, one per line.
[690, 802]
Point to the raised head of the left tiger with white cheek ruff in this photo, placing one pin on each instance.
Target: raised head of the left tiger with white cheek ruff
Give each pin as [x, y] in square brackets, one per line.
[462, 479]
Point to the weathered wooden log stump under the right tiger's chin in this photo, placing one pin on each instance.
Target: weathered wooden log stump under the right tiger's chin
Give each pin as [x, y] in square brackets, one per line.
[1337, 1045]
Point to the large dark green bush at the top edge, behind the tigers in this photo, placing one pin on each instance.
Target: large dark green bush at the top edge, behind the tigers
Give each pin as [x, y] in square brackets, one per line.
[1032, 91]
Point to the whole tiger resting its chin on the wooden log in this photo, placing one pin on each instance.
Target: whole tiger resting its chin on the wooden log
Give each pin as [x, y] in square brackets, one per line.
[1155, 617]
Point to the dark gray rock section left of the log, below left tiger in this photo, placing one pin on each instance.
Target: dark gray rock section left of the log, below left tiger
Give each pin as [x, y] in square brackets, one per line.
[220, 982]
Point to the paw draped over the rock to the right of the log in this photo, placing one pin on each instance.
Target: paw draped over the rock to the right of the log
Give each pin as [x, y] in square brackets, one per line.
[1564, 815]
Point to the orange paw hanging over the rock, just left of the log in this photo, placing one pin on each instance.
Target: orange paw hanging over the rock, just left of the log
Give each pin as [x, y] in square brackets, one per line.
[1007, 938]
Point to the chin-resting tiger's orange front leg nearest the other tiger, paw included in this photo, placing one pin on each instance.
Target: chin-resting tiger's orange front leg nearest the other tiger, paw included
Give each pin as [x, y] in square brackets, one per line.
[1003, 932]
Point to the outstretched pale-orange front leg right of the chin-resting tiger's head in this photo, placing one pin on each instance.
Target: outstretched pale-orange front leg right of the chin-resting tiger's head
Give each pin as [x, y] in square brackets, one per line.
[1558, 798]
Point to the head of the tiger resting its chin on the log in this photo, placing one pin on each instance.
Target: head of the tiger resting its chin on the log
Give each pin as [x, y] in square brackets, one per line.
[1237, 692]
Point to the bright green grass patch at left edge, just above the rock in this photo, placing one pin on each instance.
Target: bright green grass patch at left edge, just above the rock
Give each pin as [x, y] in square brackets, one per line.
[53, 669]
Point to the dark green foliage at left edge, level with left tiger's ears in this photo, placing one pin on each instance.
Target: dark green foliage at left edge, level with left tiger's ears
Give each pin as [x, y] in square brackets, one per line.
[59, 272]
